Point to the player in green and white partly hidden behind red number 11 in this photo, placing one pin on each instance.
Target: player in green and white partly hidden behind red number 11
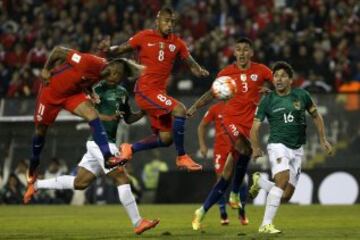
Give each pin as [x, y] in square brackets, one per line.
[111, 102]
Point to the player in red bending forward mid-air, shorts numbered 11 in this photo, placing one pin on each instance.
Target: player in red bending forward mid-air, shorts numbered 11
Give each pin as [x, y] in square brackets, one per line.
[67, 74]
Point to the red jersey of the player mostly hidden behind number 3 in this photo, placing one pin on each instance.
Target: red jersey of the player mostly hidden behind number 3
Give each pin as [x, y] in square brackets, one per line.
[215, 114]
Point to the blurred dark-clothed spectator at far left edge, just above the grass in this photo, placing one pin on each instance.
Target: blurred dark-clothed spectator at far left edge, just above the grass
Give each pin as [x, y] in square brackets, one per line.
[12, 193]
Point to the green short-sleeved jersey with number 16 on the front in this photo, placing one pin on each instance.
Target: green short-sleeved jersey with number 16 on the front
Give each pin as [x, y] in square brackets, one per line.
[286, 116]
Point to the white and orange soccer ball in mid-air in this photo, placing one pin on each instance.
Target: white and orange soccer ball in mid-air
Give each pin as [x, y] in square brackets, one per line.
[223, 88]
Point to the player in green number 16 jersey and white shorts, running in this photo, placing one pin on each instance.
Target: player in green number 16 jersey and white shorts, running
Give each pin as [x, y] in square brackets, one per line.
[285, 110]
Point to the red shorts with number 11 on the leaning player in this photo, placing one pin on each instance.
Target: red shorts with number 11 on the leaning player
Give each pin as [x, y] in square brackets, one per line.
[49, 104]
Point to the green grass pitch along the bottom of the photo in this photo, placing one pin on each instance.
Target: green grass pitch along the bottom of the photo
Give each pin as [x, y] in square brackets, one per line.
[111, 222]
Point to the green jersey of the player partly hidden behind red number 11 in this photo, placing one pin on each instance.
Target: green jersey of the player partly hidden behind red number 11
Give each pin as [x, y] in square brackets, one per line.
[113, 99]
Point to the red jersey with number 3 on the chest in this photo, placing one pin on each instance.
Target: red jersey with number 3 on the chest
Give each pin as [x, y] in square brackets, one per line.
[242, 106]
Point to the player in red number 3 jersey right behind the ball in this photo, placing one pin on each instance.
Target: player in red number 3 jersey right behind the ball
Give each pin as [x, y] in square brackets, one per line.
[237, 120]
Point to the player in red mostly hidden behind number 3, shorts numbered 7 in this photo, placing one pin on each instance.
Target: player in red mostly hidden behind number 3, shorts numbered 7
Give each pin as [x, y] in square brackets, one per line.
[222, 148]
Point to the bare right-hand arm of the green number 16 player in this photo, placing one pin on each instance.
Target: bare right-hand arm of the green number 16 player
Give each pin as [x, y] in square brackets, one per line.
[320, 127]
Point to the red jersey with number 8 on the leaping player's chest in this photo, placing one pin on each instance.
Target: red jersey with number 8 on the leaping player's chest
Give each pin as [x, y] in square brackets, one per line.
[158, 55]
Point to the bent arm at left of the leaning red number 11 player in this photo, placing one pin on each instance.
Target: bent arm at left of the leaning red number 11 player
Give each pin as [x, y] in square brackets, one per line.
[57, 56]
